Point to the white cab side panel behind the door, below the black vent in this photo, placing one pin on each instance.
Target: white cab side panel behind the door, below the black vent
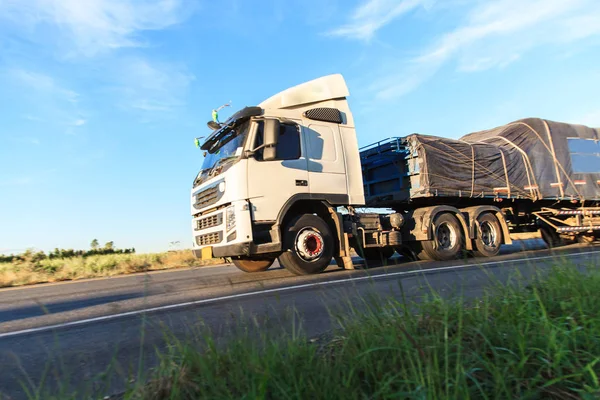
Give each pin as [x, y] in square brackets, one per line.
[326, 165]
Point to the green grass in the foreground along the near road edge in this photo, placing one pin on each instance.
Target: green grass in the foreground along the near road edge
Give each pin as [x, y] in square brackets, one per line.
[540, 341]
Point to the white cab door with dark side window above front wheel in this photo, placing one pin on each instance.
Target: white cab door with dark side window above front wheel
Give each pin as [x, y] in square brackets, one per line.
[272, 183]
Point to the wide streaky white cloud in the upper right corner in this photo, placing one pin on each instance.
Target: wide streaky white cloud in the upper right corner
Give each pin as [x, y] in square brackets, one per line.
[494, 34]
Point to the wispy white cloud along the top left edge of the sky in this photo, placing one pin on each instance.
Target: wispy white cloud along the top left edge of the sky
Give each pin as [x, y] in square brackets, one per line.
[93, 26]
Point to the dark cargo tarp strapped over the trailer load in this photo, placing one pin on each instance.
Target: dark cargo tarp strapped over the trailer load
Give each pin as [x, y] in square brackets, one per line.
[531, 158]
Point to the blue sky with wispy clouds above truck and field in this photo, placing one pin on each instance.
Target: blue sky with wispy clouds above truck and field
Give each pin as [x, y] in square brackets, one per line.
[101, 99]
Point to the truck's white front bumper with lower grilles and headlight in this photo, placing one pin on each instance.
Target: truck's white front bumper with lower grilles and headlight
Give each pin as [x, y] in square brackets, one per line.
[214, 232]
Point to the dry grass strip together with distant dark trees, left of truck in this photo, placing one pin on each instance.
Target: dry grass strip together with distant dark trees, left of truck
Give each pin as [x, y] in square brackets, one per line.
[60, 265]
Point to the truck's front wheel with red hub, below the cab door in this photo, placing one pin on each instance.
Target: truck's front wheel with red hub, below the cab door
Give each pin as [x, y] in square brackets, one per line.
[308, 245]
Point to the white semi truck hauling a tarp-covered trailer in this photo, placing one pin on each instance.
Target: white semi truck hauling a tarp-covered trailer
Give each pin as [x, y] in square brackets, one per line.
[284, 180]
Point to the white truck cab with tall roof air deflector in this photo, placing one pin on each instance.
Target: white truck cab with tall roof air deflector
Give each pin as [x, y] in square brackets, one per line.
[295, 153]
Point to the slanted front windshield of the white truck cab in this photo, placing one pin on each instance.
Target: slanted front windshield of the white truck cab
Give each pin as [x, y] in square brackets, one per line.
[224, 154]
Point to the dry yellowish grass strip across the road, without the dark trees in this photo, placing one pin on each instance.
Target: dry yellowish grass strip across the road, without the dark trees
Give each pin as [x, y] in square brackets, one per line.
[61, 269]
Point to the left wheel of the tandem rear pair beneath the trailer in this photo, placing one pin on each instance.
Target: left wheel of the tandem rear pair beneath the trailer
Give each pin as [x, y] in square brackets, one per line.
[447, 242]
